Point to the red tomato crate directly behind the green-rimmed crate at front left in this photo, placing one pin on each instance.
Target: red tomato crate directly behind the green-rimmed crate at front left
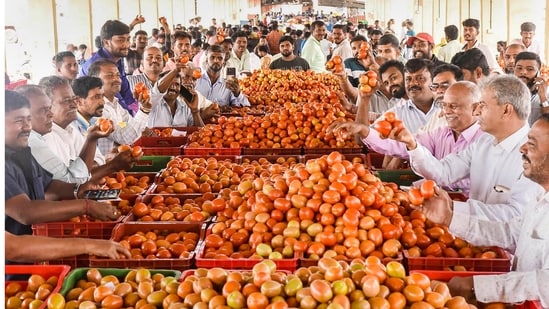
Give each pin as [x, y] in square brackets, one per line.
[125, 229]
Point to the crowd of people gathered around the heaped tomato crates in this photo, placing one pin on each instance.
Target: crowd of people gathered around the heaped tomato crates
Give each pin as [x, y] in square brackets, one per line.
[470, 123]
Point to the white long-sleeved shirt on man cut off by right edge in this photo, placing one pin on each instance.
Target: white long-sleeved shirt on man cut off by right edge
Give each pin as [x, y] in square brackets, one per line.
[527, 236]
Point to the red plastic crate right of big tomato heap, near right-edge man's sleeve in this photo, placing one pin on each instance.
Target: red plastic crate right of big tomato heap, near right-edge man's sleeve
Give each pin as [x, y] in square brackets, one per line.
[474, 264]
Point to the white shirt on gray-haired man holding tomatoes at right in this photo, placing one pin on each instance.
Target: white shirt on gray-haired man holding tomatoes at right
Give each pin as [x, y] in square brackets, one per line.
[495, 171]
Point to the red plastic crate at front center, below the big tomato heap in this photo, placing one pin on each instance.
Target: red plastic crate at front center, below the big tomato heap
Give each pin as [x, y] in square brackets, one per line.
[242, 264]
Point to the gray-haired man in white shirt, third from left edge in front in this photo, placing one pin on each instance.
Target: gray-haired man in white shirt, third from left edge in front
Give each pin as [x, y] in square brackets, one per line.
[65, 140]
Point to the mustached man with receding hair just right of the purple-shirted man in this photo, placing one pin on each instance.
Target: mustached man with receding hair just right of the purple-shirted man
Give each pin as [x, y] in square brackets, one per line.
[152, 64]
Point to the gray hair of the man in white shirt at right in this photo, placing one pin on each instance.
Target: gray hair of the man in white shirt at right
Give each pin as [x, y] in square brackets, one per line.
[509, 89]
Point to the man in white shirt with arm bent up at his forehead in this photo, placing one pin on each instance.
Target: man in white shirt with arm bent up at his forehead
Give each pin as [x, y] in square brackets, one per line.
[169, 109]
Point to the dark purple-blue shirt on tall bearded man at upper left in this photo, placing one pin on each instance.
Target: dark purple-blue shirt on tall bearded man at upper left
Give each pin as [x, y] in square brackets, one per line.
[125, 96]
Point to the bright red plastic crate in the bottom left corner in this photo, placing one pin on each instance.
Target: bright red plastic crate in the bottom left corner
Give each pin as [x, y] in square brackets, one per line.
[45, 271]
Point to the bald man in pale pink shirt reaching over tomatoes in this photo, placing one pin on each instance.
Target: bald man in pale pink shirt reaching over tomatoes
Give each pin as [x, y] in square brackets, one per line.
[462, 130]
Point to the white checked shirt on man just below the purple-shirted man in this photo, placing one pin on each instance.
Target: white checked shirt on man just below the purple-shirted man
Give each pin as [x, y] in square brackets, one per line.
[127, 129]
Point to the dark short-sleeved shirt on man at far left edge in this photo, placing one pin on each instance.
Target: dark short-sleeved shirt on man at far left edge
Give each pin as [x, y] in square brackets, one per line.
[23, 176]
